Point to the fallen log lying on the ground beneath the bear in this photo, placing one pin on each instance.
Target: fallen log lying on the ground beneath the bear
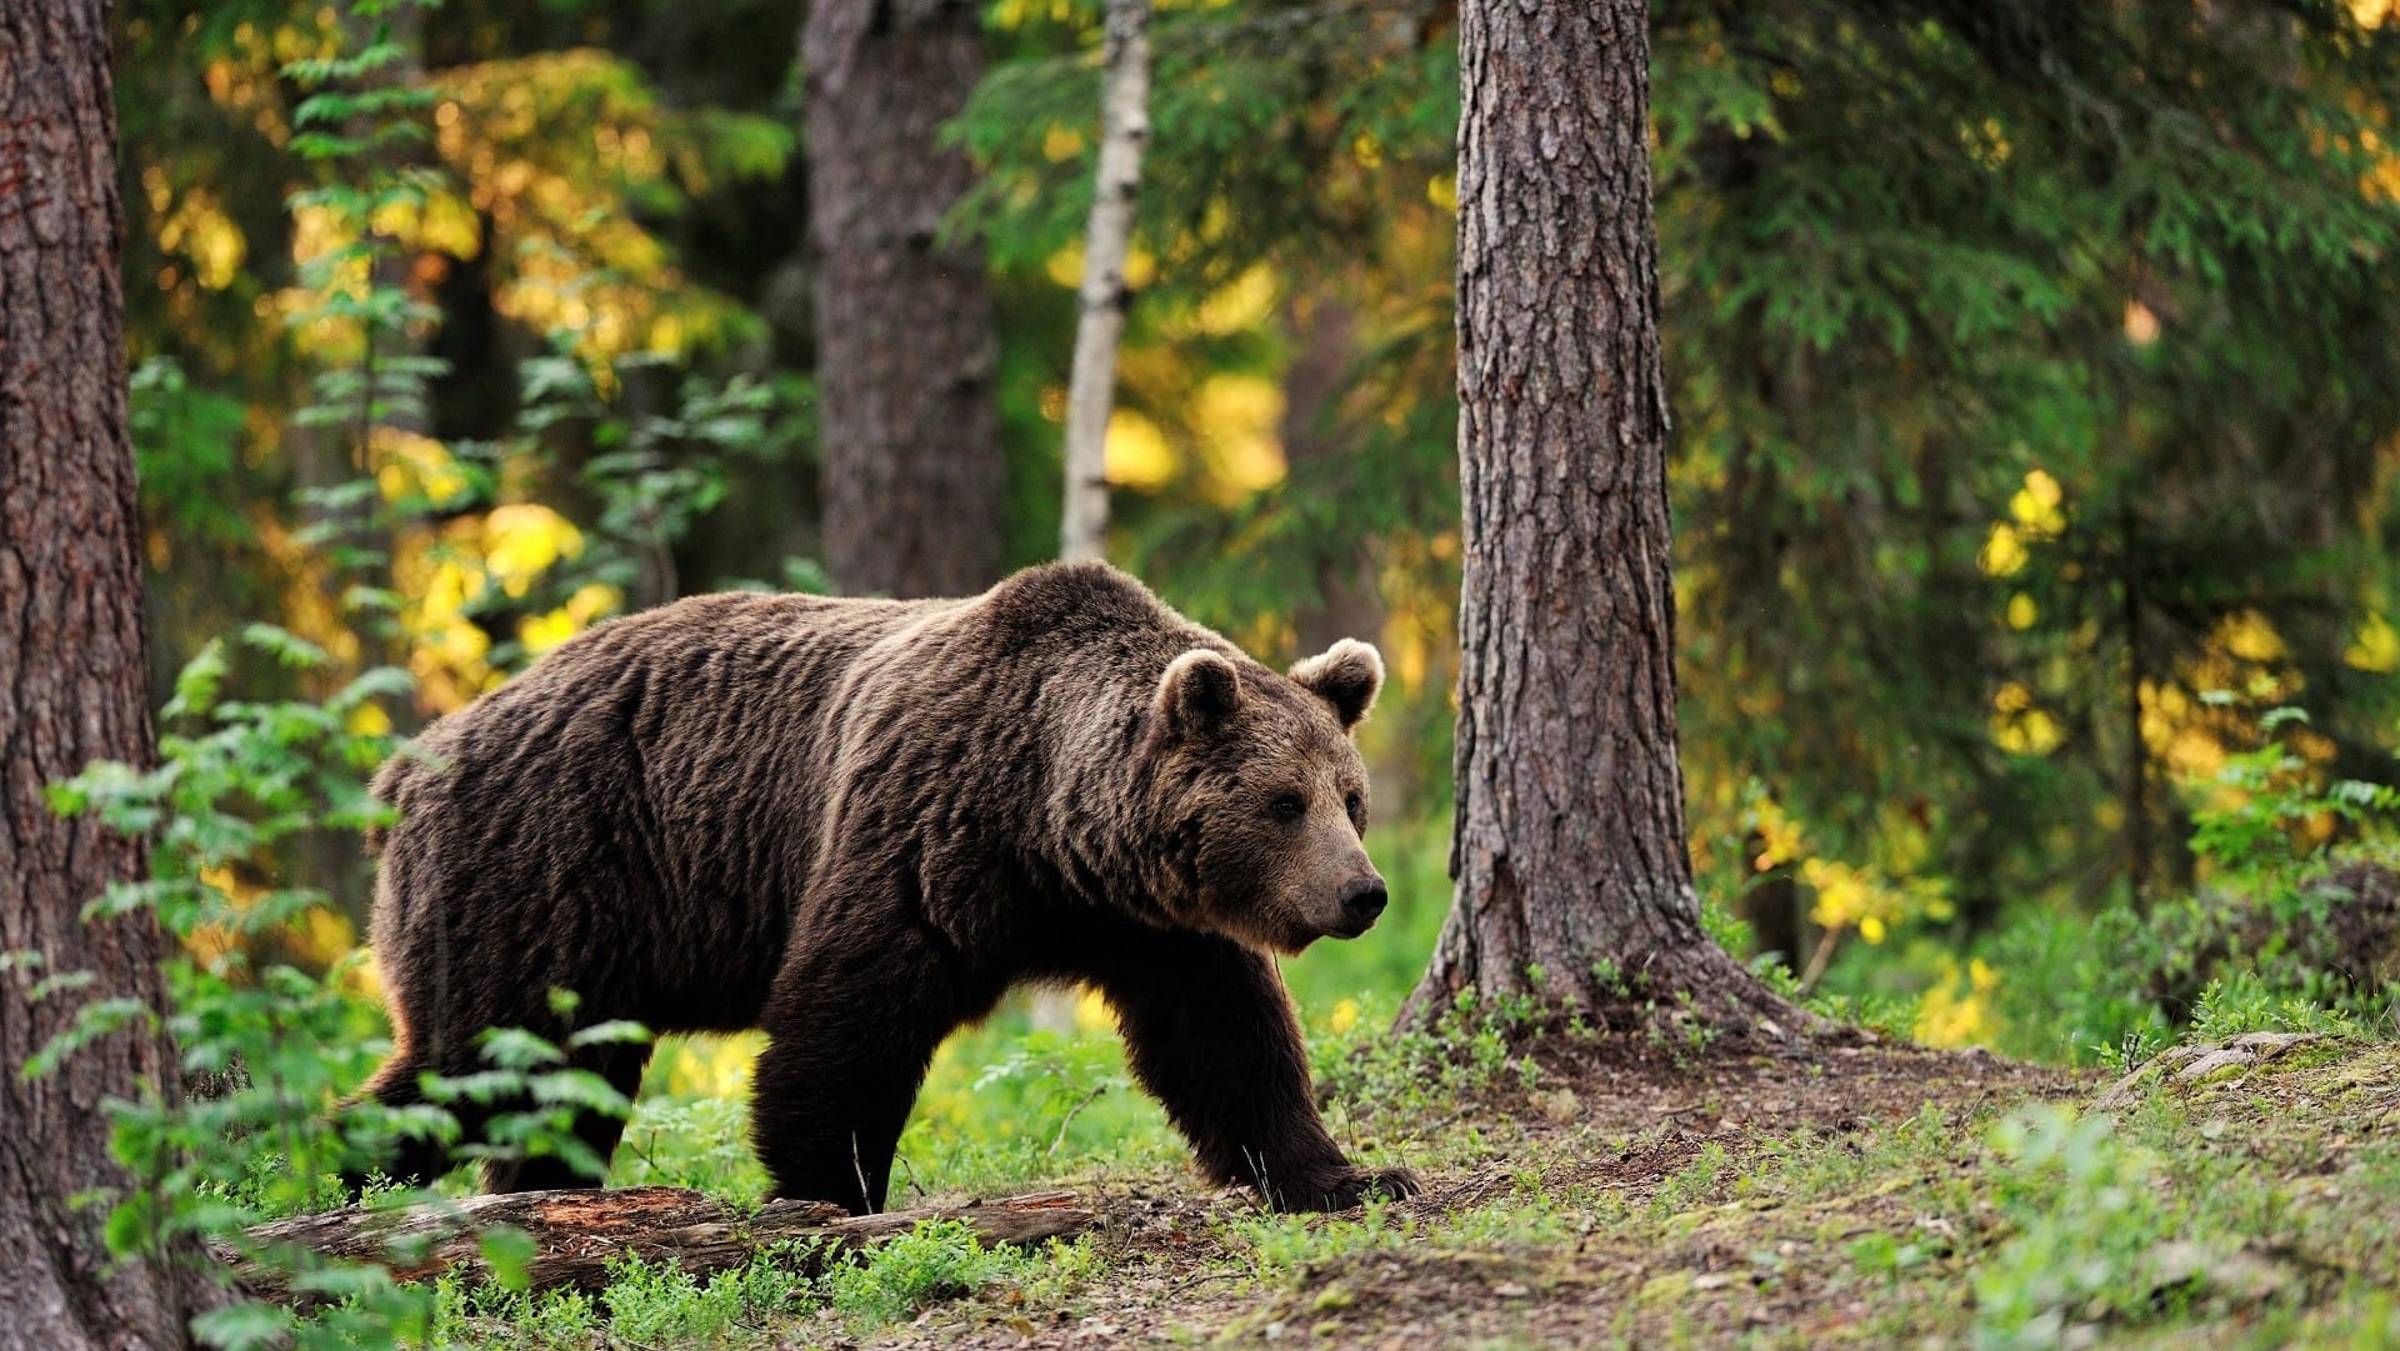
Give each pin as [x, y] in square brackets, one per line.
[580, 1232]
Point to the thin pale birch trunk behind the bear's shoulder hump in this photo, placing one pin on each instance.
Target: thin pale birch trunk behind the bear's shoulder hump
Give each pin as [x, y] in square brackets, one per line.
[1091, 395]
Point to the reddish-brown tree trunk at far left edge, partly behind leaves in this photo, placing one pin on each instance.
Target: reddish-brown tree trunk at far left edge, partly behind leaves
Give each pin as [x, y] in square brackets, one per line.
[73, 687]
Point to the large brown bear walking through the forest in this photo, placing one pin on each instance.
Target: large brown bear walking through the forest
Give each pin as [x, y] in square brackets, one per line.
[856, 824]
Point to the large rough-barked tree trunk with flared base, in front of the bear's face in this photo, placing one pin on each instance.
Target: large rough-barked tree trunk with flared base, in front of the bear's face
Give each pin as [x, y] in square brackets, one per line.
[1571, 843]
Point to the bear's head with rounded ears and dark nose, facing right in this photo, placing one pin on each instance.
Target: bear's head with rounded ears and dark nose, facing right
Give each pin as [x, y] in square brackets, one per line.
[1261, 795]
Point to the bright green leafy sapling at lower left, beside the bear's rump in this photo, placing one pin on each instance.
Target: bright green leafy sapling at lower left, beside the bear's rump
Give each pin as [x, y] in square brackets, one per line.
[270, 1043]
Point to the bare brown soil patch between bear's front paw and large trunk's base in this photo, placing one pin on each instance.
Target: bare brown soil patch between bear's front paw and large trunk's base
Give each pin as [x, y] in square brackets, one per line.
[1609, 1127]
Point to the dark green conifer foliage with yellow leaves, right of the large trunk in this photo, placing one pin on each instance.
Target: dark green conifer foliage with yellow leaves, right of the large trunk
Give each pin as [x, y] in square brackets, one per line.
[1876, 364]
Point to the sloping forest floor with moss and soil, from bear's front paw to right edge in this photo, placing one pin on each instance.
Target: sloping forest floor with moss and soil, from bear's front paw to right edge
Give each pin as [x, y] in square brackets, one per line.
[1868, 1196]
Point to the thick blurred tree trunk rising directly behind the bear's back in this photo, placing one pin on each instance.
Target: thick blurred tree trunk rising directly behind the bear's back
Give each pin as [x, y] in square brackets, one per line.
[904, 320]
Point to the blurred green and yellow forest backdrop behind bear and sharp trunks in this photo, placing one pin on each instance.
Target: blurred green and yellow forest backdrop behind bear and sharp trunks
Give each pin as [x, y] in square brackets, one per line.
[2032, 368]
